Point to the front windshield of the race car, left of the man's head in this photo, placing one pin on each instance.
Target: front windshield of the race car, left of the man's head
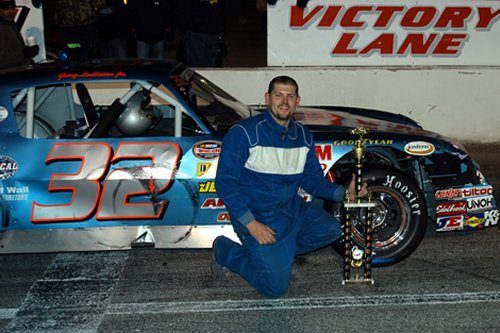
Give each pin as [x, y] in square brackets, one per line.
[209, 101]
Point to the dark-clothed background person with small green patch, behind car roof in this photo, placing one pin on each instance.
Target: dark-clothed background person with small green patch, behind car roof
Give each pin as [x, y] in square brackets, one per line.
[77, 22]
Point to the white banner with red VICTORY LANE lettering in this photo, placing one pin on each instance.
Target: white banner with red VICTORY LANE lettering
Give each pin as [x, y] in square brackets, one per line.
[384, 33]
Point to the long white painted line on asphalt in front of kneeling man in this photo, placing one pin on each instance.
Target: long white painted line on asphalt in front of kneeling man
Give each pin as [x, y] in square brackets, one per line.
[301, 303]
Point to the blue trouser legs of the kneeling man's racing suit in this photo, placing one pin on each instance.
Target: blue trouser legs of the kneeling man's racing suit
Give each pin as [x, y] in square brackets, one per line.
[268, 268]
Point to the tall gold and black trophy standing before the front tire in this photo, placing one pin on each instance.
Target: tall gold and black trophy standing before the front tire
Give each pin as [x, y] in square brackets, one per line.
[357, 260]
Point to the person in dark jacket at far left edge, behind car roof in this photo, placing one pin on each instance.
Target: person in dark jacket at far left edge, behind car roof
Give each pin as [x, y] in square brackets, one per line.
[13, 52]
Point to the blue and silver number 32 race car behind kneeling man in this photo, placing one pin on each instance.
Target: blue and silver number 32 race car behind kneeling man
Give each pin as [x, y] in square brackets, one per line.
[110, 155]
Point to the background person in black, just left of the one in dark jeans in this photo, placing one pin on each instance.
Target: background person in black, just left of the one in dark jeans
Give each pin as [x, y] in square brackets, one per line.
[151, 21]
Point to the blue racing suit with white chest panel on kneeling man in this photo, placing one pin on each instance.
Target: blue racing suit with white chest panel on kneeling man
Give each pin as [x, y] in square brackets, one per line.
[261, 167]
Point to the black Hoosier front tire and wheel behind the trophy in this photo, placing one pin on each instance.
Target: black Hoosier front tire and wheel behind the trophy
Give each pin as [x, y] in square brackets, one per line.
[399, 217]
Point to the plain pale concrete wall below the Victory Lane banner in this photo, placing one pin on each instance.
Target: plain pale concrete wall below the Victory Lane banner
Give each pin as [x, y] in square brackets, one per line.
[462, 103]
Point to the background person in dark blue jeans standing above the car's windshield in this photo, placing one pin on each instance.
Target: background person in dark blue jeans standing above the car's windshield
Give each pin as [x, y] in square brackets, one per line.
[202, 23]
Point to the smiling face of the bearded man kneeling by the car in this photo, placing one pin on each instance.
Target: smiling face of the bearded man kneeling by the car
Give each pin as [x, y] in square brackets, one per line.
[282, 102]
